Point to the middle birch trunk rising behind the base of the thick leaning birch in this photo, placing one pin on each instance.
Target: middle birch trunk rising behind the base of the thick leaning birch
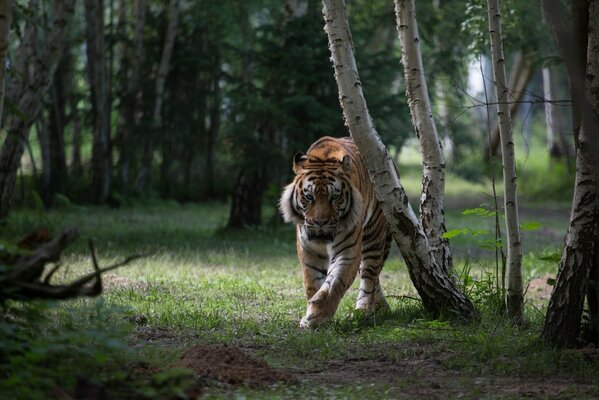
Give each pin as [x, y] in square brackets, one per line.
[432, 199]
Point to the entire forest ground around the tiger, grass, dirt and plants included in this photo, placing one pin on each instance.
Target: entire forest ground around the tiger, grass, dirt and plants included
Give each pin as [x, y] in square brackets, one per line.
[214, 313]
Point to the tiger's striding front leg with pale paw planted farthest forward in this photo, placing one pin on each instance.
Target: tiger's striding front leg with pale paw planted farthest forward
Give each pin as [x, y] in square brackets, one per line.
[340, 275]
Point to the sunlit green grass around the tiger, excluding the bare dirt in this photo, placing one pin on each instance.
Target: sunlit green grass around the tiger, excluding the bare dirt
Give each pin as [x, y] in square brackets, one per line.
[202, 284]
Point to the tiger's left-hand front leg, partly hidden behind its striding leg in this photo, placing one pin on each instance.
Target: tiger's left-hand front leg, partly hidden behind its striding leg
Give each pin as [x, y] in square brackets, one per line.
[314, 261]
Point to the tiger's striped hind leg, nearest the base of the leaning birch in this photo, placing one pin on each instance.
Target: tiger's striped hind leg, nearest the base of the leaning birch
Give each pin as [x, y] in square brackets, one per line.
[371, 296]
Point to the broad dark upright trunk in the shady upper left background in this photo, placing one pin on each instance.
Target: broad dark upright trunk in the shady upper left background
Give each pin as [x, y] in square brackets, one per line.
[96, 66]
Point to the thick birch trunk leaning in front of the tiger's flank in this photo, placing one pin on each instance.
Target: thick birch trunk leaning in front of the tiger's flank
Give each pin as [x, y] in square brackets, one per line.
[438, 292]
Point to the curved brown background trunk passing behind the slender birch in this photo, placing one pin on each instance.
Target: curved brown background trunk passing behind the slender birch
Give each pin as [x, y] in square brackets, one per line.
[520, 75]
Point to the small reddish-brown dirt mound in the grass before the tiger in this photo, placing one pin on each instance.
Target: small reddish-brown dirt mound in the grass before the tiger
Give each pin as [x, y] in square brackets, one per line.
[230, 365]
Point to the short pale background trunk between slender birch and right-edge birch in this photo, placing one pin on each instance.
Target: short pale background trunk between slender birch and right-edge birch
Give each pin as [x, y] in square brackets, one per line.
[552, 114]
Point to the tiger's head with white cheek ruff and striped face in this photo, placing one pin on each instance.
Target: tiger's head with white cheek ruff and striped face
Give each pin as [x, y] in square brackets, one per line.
[321, 198]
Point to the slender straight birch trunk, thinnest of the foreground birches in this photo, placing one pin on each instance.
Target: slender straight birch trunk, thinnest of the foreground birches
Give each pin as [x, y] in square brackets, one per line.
[514, 290]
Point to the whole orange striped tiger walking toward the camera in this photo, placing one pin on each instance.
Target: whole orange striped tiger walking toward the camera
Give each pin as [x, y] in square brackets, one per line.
[340, 228]
